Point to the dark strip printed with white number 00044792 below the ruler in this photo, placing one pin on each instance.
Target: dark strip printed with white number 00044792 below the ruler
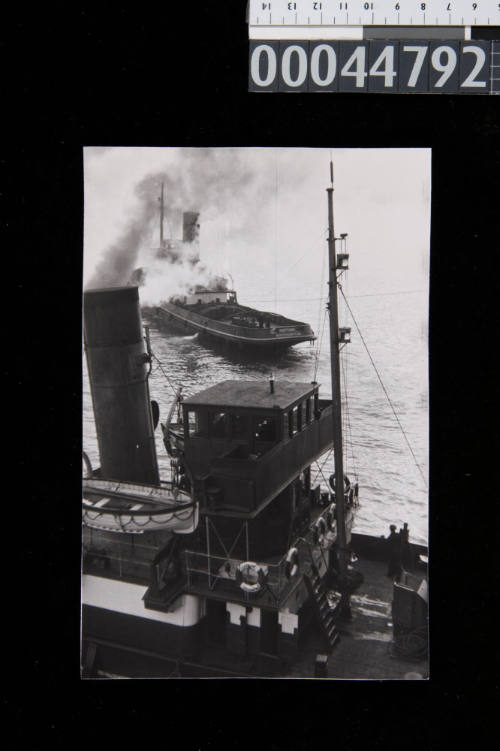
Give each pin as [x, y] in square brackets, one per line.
[413, 65]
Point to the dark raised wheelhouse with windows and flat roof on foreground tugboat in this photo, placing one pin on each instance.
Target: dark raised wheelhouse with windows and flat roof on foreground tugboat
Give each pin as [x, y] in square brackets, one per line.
[244, 439]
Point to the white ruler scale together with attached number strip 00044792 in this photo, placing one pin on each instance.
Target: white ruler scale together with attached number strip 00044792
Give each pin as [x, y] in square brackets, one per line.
[383, 46]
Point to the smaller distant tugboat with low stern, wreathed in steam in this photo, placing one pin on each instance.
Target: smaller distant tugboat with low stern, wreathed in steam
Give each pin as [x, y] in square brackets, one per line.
[213, 311]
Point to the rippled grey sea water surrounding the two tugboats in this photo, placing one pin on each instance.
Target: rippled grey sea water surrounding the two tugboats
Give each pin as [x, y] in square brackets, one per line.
[392, 477]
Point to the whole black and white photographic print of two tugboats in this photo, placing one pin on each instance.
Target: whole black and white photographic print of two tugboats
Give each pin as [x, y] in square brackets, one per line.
[255, 413]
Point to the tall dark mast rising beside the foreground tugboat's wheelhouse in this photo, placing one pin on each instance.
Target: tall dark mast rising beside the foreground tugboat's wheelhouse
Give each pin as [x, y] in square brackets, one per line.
[337, 406]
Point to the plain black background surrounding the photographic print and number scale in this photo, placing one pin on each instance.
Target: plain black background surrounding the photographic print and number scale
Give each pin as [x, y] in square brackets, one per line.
[133, 77]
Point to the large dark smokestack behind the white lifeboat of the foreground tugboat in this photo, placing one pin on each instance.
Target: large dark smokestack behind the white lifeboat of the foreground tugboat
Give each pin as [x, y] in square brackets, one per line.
[118, 371]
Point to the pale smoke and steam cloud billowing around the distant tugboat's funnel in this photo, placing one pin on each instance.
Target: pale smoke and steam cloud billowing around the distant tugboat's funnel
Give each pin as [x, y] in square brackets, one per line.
[213, 183]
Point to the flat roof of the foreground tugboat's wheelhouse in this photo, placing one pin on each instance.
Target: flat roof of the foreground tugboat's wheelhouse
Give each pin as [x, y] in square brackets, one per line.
[251, 394]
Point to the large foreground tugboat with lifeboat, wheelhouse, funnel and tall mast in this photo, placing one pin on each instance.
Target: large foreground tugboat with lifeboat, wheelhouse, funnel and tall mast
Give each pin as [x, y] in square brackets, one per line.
[255, 575]
